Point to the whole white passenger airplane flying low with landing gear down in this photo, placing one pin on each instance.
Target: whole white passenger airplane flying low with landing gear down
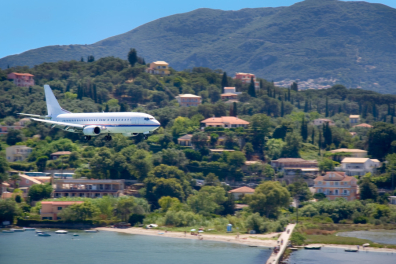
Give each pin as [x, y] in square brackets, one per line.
[93, 124]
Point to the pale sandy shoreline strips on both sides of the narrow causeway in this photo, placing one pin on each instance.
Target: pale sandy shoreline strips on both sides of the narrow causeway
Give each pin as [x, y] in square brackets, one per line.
[258, 240]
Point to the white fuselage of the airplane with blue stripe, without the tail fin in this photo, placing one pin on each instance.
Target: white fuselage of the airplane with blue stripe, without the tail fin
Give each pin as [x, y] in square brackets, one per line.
[126, 123]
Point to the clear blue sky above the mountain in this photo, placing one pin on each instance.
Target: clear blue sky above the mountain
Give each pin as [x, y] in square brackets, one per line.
[30, 24]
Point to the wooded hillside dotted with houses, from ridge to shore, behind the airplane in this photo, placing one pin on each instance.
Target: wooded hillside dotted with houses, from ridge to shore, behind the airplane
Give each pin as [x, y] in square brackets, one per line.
[228, 140]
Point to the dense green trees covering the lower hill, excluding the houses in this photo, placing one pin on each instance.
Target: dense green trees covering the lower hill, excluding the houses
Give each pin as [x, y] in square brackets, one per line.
[280, 126]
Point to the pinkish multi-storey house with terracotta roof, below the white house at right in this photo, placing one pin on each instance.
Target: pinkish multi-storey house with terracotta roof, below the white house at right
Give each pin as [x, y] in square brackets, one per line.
[336, 184]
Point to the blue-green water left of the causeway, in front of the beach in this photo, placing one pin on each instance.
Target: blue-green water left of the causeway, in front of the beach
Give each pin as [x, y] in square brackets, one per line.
[111, 247]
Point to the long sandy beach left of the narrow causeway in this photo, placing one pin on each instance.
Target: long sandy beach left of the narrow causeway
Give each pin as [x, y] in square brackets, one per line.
[258, 240]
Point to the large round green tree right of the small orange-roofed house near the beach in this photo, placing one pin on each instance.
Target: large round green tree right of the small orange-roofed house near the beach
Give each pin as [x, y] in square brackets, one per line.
[268, 197]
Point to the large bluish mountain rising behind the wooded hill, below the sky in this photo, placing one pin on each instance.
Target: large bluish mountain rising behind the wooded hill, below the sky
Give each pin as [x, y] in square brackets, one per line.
[354, 42]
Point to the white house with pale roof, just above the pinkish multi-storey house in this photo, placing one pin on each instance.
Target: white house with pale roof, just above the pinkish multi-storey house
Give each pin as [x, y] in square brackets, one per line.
[358, 166]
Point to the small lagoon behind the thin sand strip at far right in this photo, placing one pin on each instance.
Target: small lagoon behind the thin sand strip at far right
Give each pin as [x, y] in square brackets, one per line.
[378, 236]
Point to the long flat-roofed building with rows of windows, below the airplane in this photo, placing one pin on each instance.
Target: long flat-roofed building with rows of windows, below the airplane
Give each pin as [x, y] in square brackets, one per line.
[88, 188]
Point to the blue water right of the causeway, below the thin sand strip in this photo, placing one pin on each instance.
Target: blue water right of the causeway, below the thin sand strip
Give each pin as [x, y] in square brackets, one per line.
[339, 256]
